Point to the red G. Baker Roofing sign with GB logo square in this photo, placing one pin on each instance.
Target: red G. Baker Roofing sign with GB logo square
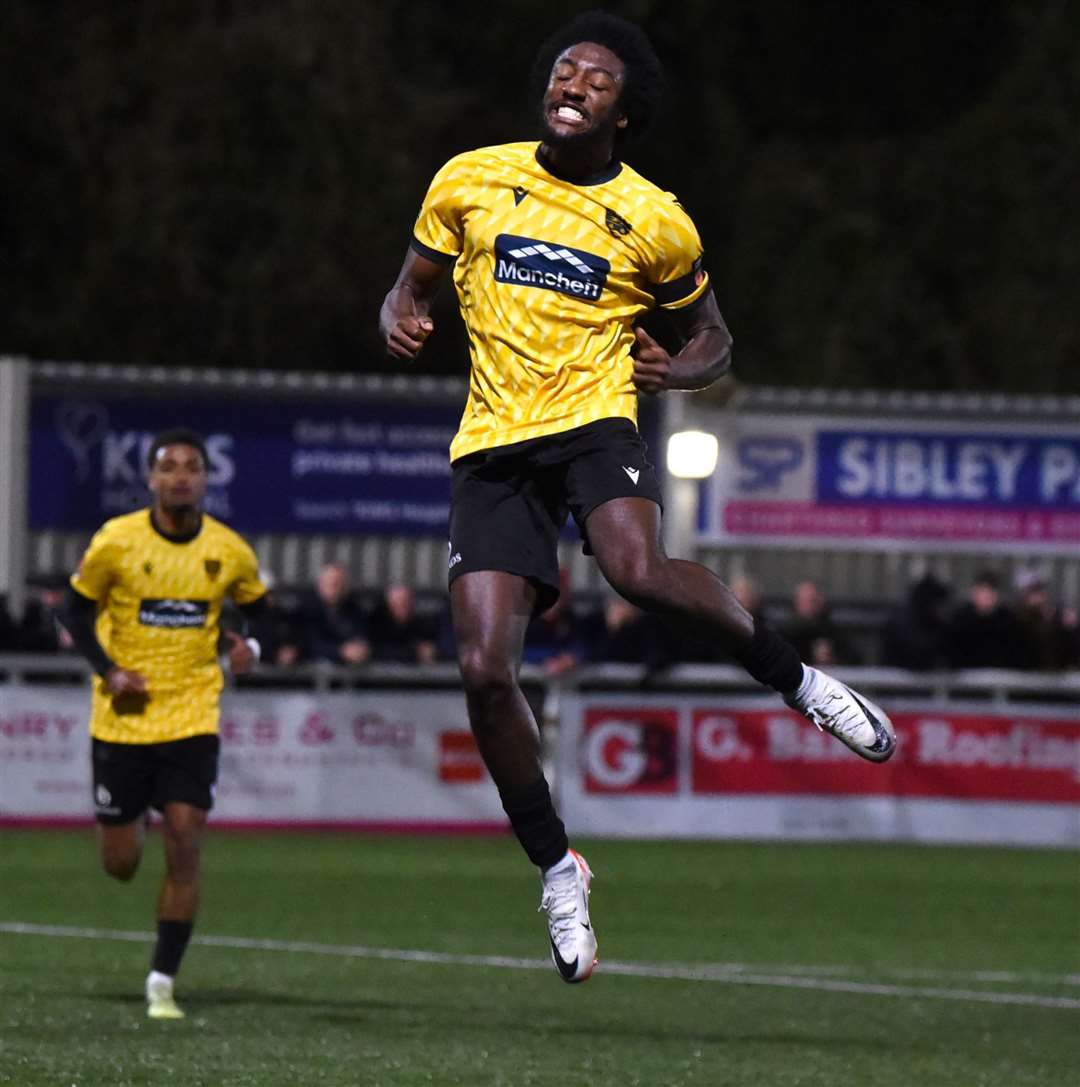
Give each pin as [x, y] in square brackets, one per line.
[636, 751]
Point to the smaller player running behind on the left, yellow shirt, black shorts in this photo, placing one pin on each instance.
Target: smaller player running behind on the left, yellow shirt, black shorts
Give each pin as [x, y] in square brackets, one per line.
[145, 609]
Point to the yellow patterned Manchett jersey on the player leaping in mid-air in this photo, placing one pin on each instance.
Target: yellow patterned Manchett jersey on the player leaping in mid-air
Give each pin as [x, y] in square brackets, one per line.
[551, 277]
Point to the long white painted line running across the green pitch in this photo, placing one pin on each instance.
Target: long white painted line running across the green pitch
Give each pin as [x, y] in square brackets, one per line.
[720, 973]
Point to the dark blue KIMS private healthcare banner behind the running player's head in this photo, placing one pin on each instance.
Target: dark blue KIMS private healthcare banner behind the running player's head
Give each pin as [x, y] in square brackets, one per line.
[275, 466]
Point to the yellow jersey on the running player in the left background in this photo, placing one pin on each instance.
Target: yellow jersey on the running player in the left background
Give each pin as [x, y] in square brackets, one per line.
[159, 607]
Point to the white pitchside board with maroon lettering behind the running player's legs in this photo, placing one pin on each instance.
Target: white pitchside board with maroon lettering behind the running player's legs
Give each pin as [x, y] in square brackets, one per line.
[373, 759]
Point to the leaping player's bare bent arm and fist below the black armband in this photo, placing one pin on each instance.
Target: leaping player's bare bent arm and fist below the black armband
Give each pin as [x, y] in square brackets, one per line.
[706, 355]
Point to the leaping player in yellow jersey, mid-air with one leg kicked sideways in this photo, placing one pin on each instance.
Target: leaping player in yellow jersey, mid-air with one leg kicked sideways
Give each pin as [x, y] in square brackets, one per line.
[558, 248]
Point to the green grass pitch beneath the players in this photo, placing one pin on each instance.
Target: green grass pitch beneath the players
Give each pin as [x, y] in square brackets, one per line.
[72, 1013]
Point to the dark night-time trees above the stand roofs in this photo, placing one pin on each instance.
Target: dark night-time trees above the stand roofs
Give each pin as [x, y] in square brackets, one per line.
[887, 192]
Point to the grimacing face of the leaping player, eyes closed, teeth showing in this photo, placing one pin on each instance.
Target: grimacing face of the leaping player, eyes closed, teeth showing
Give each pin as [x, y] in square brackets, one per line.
[583, 96]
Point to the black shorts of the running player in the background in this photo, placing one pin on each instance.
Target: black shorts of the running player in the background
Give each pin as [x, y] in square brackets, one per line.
[131, 778]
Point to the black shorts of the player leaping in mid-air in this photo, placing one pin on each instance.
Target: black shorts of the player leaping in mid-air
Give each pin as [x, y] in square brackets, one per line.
[508, 506]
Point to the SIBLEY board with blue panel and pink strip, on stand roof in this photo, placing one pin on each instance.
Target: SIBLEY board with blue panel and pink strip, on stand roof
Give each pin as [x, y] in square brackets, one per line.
[884, 484]
